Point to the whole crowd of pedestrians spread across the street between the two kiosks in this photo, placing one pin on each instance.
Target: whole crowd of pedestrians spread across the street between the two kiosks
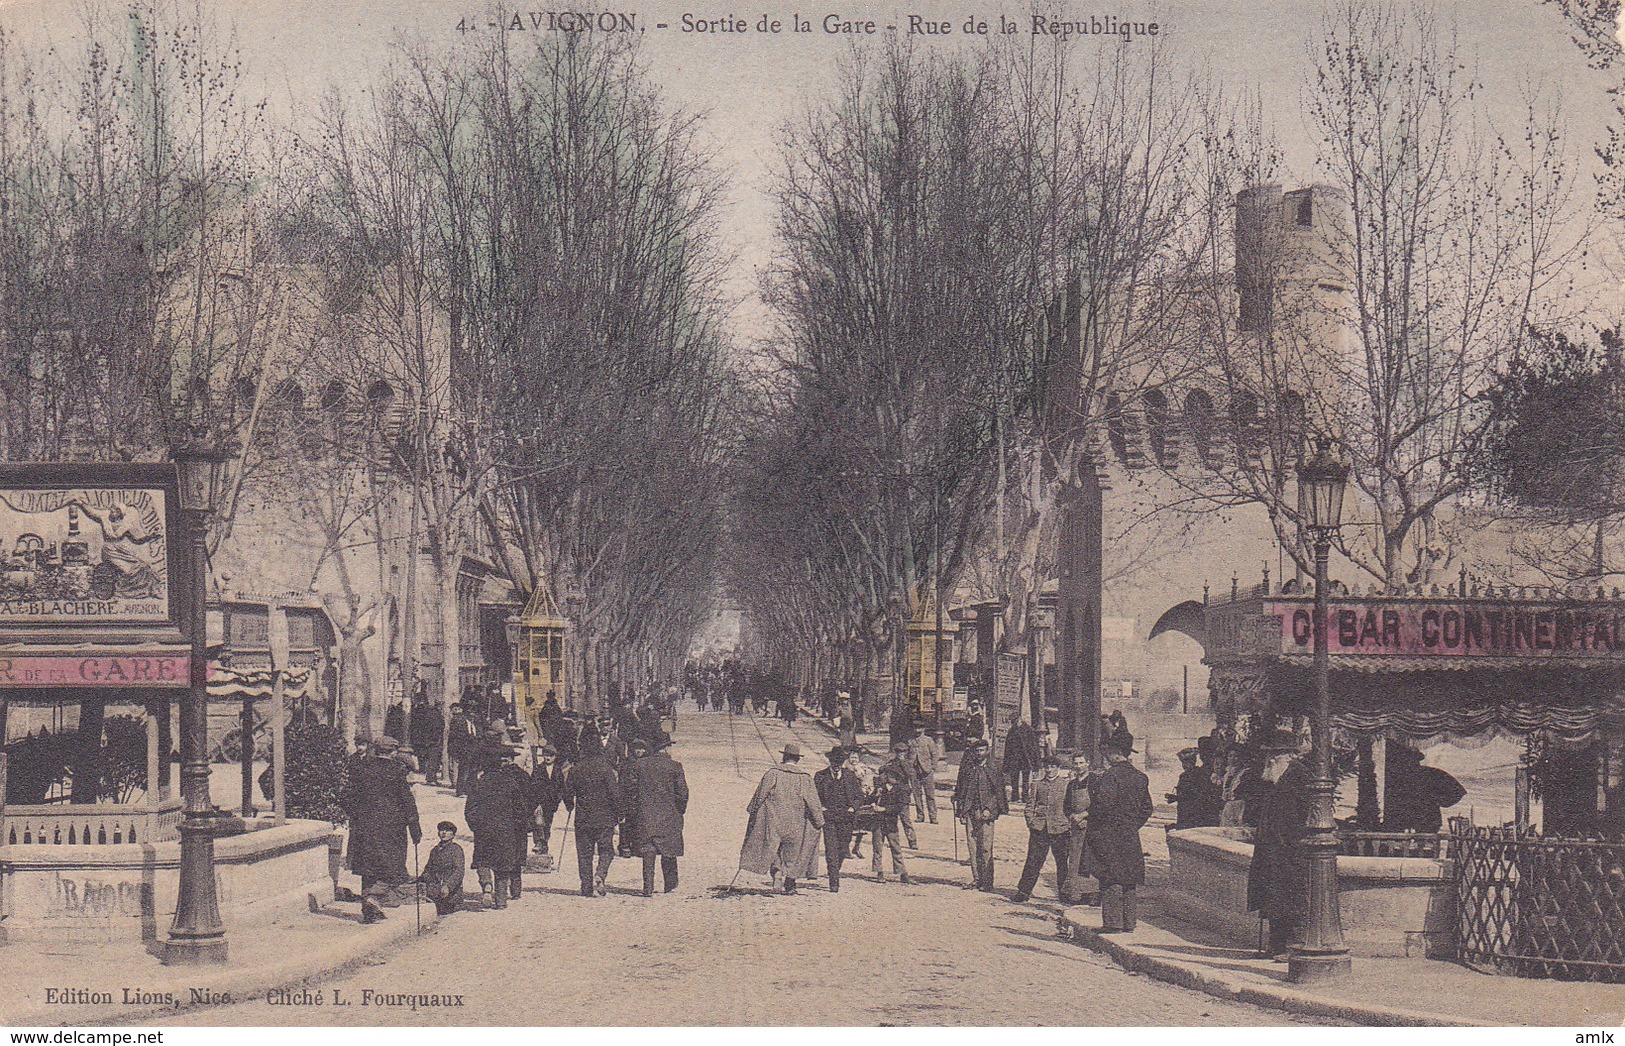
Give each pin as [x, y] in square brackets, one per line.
[630, 798]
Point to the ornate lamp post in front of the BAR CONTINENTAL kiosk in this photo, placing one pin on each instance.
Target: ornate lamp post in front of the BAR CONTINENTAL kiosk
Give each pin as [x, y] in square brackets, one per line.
[1324, 956]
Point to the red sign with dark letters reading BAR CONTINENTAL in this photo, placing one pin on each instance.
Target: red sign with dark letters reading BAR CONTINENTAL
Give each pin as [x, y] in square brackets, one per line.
[1463, 629]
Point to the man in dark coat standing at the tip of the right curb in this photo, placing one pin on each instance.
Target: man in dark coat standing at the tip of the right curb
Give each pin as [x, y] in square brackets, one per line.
[1119, 808]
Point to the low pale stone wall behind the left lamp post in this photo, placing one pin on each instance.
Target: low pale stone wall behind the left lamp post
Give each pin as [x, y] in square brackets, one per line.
[128, 893]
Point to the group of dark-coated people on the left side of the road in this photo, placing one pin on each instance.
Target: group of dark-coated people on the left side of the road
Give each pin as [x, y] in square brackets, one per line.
[612, 774]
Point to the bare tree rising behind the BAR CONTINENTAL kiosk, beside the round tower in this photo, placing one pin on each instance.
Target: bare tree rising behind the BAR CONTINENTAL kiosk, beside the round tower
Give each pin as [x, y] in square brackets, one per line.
[1379, 308]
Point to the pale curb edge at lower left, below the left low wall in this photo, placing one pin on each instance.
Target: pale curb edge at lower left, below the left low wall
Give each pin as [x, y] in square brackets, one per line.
[241, 985]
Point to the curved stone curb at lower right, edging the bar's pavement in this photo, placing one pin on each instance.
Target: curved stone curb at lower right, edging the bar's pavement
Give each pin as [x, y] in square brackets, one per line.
[1221, 987]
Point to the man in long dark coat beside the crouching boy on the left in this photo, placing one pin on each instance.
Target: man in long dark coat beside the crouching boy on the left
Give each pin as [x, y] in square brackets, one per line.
[383, 816]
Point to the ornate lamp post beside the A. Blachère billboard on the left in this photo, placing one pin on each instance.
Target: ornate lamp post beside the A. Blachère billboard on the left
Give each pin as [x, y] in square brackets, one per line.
[197, 936]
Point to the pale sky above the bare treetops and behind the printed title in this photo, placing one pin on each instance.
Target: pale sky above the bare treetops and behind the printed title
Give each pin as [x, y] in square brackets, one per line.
[752, 84]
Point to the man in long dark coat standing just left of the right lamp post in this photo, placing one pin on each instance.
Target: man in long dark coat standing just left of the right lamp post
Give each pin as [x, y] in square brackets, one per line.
[1278, 881]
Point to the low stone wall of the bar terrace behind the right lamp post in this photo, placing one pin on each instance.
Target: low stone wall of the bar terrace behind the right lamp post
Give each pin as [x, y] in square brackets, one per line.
[1395, 907]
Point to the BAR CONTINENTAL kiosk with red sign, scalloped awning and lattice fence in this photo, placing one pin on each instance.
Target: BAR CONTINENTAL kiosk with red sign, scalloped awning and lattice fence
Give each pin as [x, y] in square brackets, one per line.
[1540, 894]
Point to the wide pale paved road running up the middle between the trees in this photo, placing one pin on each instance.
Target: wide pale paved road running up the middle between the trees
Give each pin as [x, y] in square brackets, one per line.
[929, 954]
